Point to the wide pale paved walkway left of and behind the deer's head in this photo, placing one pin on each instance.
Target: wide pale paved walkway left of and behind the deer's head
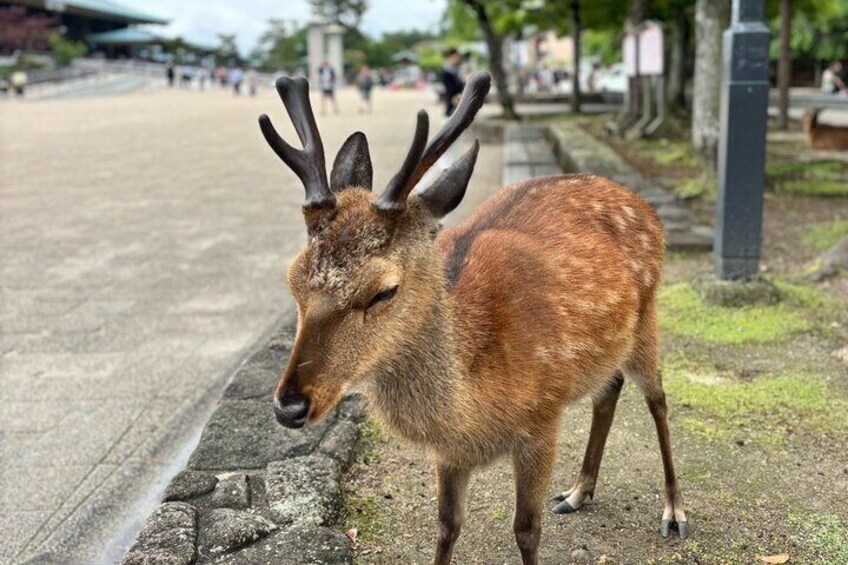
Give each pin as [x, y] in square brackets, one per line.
[144, 240]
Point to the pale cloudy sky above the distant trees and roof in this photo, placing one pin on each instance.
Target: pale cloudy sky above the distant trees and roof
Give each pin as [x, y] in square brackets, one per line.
[202, 20]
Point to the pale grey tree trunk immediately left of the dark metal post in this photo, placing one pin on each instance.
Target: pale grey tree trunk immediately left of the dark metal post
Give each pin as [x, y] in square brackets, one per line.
[710, 18]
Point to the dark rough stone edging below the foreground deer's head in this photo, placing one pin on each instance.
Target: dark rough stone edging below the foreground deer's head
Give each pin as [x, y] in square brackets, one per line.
[252, 491]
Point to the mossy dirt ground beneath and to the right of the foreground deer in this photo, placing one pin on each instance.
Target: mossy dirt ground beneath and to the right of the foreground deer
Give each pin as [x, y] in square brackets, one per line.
[758, 399]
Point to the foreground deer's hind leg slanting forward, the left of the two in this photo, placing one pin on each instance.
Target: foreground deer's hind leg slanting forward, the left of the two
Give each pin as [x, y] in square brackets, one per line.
[603, 411]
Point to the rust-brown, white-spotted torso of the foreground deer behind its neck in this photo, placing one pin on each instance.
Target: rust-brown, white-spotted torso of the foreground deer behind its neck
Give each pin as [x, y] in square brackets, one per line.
[552, 276]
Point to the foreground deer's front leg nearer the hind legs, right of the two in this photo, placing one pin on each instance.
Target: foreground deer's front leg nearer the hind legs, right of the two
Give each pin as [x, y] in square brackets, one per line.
[533, 462]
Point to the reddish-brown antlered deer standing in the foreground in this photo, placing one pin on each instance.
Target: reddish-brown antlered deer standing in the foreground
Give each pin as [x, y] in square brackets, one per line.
[470, 341]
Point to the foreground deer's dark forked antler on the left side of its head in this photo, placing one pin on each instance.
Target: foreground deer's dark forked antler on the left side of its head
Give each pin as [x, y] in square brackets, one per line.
[308, 164]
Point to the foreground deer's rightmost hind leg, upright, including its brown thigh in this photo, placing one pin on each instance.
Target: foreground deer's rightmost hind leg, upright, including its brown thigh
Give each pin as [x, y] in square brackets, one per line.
[644, 368]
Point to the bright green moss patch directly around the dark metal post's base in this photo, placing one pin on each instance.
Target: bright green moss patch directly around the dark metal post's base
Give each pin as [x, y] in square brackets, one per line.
[684, 313]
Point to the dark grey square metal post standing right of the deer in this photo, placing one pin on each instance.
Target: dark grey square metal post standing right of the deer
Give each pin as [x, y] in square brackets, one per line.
[742, 143]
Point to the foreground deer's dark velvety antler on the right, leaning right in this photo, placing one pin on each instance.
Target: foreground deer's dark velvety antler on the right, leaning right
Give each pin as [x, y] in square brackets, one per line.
[420, 159]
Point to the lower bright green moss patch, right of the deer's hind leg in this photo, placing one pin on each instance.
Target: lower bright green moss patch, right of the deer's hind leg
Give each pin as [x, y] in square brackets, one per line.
[767, 409]
